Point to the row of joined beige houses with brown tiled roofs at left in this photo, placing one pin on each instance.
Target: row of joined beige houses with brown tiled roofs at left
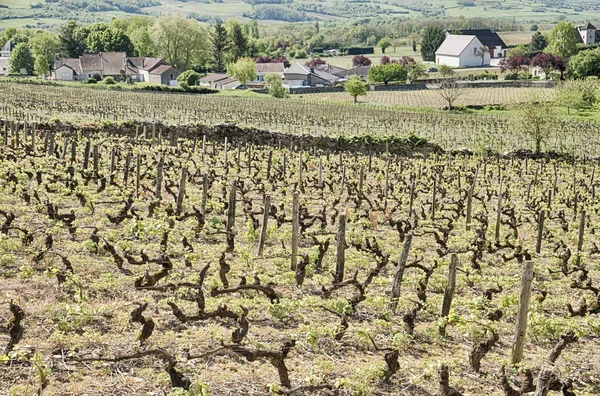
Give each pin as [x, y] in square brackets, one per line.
[116, 65]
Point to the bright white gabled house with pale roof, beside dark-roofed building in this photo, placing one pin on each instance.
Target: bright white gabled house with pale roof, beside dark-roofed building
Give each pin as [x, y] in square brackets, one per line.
[462, 51]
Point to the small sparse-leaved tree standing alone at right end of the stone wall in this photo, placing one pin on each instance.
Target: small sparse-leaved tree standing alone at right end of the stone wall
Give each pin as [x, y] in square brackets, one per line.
[537, 121]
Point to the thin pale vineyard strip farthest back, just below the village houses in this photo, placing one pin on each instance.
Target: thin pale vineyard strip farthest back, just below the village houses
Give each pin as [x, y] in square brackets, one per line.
[432, 98]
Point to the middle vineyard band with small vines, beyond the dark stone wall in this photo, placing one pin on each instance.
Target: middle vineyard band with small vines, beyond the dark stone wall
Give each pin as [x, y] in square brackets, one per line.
[304, 116]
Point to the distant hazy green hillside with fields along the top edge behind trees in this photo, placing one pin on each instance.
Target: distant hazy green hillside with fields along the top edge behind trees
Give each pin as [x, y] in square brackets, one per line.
[44, 13]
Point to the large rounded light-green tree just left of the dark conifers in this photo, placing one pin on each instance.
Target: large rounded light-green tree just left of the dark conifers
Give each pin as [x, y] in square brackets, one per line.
[181, 42]
